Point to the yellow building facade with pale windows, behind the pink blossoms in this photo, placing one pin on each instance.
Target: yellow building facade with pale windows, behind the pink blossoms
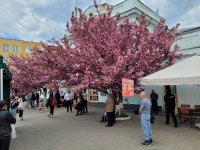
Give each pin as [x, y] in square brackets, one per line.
[16, 47]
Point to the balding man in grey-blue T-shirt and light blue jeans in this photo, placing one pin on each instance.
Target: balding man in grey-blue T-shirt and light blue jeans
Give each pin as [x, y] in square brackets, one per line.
[144, 111]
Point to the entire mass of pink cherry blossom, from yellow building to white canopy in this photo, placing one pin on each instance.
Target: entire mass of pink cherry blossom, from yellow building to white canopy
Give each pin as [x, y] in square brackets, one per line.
[105, 49]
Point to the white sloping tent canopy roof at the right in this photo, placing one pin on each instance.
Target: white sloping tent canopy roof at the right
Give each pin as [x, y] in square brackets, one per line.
[186, 72]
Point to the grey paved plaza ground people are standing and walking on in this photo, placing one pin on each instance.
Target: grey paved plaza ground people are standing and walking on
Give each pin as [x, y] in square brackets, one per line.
[69, 132]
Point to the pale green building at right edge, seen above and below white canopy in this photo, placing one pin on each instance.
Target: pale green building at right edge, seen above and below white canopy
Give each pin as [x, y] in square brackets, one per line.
[189, 45]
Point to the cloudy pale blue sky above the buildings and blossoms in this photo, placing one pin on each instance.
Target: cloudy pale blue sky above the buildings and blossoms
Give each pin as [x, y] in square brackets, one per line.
[41, 20]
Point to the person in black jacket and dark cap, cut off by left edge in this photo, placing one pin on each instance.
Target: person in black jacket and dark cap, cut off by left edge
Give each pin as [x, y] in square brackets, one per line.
[5, 129]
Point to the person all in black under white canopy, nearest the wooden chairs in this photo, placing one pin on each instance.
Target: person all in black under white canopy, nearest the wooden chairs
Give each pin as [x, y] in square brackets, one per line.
[170, 105]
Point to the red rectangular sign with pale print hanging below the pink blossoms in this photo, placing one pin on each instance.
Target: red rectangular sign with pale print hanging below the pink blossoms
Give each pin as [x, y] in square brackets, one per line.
[127, 87]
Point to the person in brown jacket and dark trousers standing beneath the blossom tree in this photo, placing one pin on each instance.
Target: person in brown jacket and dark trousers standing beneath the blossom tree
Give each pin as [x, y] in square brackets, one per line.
[108, 108]
